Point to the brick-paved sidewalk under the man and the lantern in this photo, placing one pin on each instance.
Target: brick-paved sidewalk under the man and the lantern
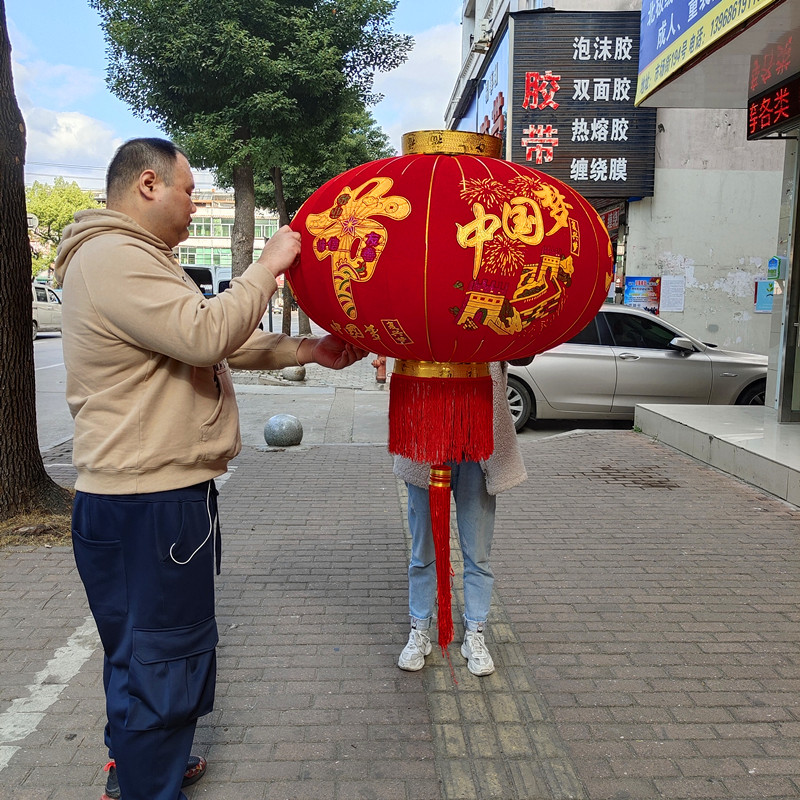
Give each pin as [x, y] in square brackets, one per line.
[645, 627]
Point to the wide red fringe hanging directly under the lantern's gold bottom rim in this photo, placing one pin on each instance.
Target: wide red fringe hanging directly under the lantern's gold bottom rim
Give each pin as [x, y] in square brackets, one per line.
[435, 420]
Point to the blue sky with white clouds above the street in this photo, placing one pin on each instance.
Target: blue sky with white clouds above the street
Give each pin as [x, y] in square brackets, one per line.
[74, 123]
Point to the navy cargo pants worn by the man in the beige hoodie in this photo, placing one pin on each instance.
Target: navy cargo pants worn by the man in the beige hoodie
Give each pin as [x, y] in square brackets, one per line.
[147, 563]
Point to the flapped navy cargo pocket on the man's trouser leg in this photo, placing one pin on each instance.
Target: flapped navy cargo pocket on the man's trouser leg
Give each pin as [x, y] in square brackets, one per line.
[172, 675]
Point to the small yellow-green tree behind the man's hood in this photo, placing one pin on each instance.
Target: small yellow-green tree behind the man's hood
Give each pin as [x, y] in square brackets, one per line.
[54, 206]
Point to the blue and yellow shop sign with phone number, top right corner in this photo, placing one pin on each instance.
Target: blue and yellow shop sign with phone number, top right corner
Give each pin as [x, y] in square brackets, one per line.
[673, 33]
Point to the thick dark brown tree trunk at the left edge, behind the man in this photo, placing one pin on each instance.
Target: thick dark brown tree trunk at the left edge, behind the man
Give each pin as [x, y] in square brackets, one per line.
[25, 486]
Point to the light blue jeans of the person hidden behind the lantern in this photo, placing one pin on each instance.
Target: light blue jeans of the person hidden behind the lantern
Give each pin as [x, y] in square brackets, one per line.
[475, 509]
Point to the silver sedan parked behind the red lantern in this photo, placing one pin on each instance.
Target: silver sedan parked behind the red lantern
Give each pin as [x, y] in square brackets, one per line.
[624, 357]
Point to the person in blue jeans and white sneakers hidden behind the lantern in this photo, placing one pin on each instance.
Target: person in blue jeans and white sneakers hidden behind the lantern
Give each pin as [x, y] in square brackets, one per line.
[475, 486]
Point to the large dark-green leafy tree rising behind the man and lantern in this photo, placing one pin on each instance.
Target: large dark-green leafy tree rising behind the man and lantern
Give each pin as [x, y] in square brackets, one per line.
[242, 83]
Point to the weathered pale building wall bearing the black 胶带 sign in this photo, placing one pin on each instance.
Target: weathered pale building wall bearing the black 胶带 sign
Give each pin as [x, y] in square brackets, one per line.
[691, 205]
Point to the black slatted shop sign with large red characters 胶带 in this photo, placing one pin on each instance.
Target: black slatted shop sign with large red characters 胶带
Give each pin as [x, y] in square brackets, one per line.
[573, 117]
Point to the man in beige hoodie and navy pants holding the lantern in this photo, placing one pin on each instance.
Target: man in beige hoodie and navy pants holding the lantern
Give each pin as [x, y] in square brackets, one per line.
[150, 389]
